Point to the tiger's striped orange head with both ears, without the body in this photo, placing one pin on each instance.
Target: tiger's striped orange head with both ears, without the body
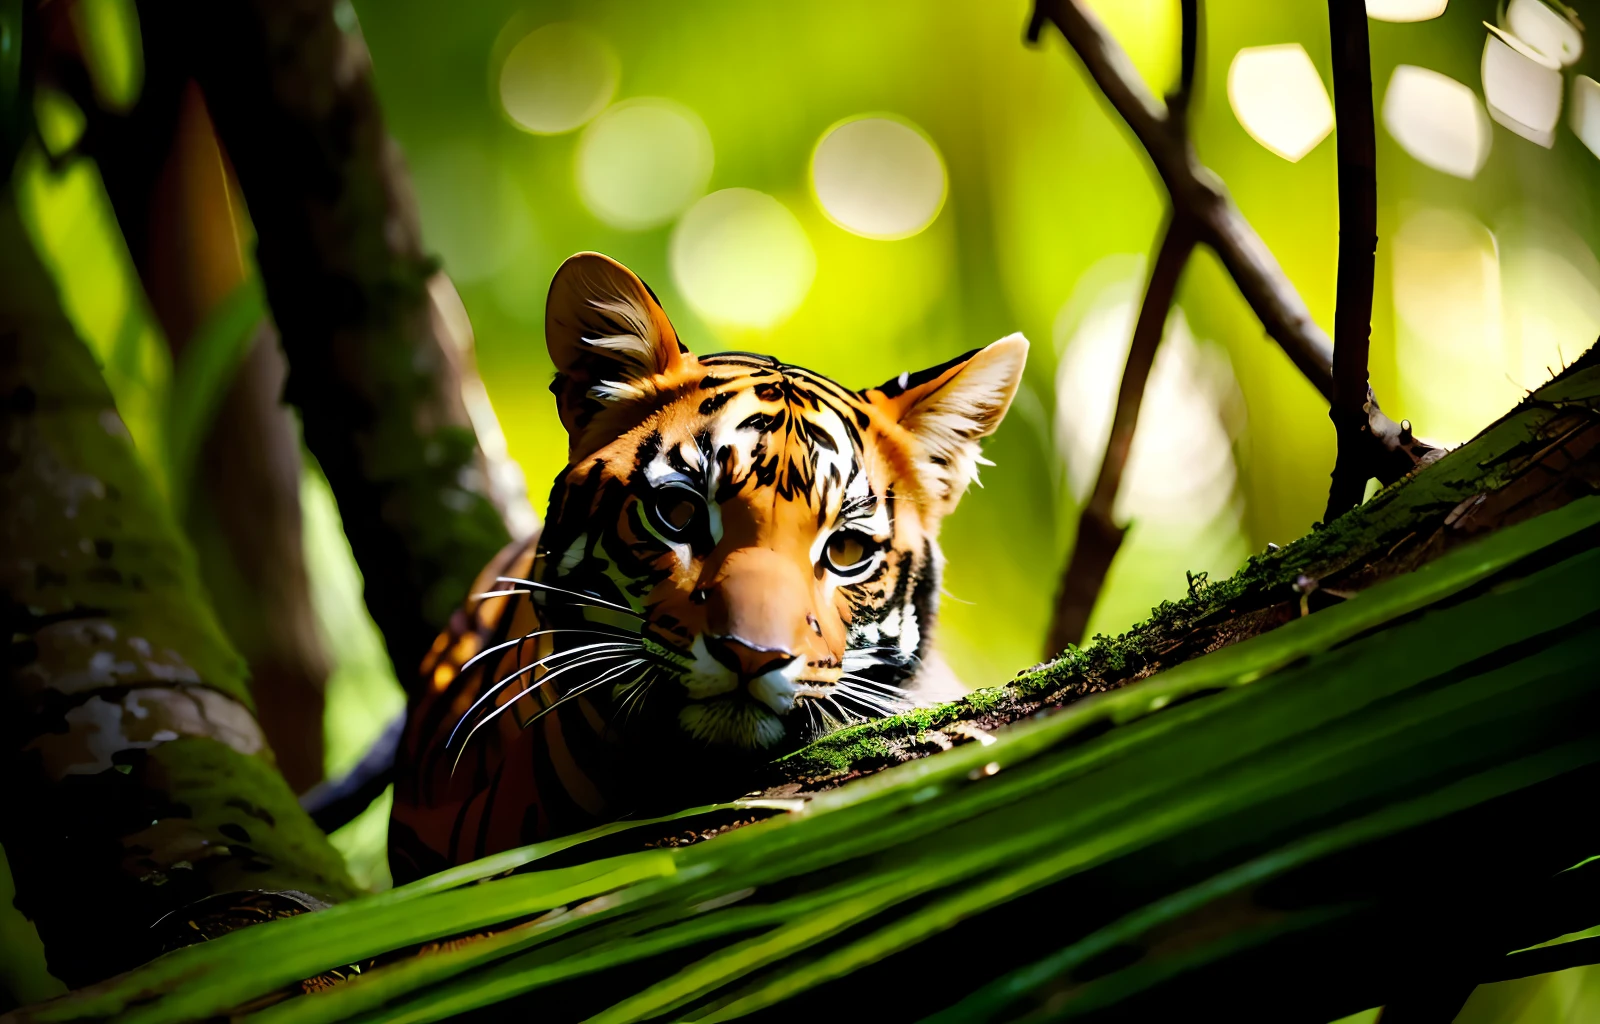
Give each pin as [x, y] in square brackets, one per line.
[761, 542]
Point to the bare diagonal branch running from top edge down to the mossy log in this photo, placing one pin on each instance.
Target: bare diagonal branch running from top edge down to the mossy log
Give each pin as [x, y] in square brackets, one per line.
[1199, 194]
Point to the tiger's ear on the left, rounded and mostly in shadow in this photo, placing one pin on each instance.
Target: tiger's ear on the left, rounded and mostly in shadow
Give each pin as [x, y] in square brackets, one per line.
[607, 337]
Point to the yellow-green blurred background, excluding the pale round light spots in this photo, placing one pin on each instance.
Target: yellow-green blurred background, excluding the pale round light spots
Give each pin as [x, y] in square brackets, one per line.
[1044, 186]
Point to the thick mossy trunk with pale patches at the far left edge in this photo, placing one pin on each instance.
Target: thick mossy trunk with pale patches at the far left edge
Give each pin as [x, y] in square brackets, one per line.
[137, 782]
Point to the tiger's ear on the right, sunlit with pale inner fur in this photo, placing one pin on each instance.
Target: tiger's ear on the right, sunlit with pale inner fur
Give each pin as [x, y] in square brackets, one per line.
[950, 407]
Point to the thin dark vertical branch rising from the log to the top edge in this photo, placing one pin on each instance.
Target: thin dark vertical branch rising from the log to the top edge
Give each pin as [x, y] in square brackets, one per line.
[1353, 319]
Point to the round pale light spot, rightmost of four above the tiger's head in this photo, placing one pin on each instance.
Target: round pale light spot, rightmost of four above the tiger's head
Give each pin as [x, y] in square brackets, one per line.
[879, 178]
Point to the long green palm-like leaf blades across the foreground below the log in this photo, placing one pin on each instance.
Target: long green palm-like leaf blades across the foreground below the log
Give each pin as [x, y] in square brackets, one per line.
[1254, 810]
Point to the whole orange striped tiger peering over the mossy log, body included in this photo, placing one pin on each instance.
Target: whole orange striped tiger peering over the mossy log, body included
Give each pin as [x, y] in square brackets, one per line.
[738, 558]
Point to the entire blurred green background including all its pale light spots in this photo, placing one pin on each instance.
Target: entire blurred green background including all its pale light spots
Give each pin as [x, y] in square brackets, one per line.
[868, 190]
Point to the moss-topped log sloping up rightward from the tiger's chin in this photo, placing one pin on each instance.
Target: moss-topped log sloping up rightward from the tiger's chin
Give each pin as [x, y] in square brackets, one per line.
[1537, 458]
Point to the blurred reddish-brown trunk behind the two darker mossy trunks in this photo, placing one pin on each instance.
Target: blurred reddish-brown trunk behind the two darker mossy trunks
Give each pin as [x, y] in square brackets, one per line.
[236, 463]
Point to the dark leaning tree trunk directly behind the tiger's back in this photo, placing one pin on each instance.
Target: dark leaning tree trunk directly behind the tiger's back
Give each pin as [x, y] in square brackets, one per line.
[374, 367]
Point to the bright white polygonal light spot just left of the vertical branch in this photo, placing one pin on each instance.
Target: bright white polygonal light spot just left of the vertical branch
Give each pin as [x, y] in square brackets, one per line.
[1279, 98]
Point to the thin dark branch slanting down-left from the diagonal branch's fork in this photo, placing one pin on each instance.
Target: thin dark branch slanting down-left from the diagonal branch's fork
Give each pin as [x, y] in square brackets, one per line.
[1100, 537]
